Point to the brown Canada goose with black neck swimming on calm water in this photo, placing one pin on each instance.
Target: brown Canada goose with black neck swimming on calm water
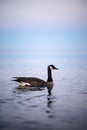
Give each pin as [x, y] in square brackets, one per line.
[36, 82]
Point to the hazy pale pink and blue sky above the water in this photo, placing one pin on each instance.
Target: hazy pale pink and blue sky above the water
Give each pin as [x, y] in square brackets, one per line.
[44, 25]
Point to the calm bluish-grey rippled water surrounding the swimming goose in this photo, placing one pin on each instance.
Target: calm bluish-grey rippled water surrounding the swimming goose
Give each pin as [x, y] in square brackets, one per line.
[65, 109]
